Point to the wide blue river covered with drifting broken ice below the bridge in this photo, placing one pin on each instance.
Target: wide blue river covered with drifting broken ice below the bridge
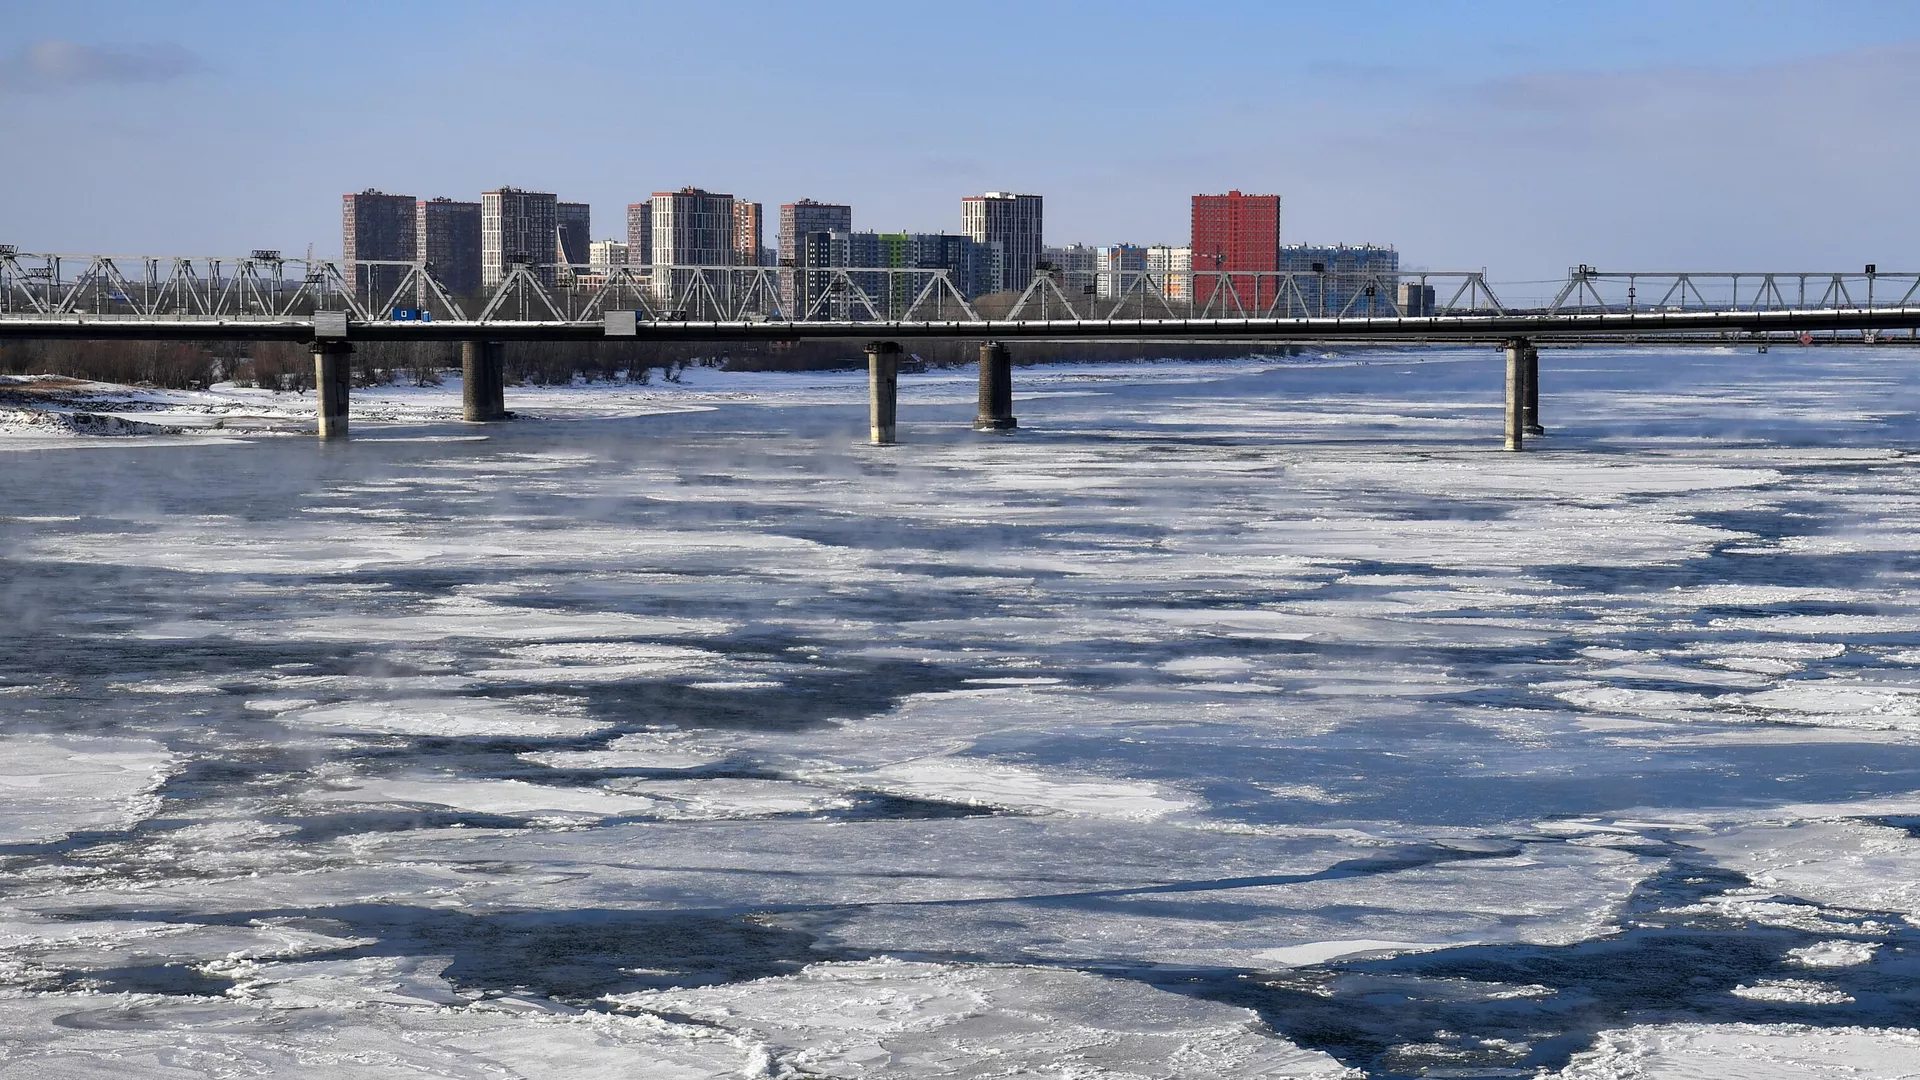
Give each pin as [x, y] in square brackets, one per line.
[1230, 720]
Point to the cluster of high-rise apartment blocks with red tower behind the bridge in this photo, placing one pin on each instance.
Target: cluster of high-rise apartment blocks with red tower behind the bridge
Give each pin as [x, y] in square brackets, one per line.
[999, 247]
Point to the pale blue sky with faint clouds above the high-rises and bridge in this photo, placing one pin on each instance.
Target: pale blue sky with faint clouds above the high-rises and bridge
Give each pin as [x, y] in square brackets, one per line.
[1520, 137]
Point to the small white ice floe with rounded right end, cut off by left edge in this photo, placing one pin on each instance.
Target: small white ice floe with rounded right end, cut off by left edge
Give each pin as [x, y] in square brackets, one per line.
[59, 785]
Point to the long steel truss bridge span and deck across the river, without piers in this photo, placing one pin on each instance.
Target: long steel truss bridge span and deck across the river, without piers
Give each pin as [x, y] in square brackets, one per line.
[264, 297]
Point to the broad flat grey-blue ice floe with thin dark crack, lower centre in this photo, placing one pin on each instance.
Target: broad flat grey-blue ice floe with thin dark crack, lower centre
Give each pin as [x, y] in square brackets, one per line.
[1057, 889]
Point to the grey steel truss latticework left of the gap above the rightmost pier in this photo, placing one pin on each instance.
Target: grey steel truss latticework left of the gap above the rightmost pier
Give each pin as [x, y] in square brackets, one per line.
[270, 287]
